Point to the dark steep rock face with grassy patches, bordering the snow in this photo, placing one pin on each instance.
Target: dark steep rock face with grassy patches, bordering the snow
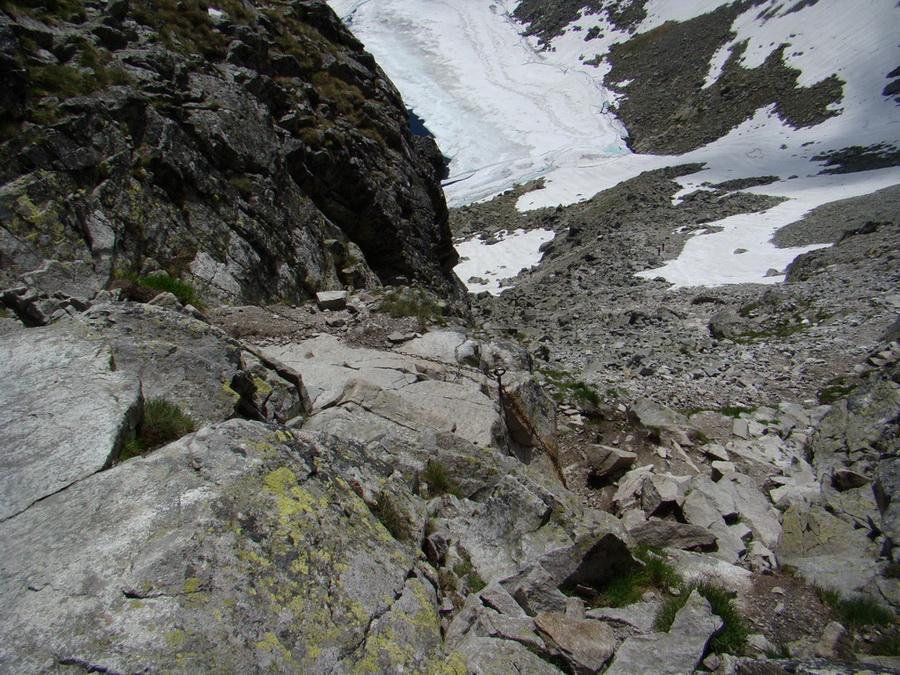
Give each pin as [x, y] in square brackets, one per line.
[260, 153]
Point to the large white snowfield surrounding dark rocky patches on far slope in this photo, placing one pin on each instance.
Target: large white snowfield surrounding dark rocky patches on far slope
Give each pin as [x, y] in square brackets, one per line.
[507, 112]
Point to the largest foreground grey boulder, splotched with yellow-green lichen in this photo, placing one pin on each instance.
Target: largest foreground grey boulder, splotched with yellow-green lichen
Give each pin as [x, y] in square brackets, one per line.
[199, 558]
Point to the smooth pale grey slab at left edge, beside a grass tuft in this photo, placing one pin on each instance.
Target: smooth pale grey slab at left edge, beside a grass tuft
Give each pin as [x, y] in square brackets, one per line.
[64, 411]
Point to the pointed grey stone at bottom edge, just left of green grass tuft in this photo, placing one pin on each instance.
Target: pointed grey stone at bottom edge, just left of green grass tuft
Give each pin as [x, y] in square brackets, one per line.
[674, 653]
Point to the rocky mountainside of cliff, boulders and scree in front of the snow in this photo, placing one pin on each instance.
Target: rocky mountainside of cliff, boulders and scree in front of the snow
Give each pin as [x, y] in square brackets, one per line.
[591, 473]
